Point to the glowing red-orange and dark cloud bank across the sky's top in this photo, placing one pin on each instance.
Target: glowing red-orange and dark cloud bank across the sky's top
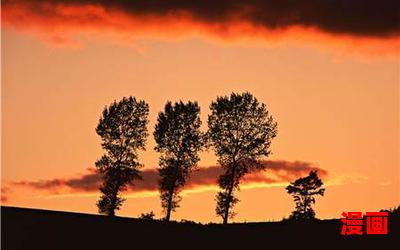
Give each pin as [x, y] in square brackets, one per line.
[358, 26]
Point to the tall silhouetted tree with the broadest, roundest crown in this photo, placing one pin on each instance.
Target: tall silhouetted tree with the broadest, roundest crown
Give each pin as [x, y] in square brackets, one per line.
[240, 130]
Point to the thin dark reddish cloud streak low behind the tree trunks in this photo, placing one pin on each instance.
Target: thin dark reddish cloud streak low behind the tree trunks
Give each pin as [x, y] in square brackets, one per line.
[276, 171]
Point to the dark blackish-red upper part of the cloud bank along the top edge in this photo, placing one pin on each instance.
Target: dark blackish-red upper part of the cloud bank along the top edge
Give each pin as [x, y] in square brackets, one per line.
[355, 17]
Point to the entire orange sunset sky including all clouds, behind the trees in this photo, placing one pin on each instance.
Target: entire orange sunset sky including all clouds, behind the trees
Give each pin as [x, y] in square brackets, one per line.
[327, 70]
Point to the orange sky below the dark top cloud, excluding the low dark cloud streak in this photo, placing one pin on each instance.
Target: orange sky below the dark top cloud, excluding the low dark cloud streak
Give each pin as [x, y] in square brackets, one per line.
[335, 98]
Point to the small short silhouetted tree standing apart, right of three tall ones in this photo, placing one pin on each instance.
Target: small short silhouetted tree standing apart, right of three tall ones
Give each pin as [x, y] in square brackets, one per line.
[303, 191]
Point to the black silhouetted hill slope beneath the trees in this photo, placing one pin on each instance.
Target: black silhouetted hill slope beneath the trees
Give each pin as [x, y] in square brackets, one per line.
[42, 229]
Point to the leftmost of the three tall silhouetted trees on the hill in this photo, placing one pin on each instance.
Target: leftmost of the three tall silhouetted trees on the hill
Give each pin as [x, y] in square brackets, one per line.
[123, 132]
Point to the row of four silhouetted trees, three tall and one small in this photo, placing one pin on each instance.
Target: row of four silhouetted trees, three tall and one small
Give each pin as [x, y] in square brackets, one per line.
[240, 131]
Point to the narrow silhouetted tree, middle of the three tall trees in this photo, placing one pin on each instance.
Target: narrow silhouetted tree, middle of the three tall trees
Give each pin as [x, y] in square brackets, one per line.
[179, 140]
